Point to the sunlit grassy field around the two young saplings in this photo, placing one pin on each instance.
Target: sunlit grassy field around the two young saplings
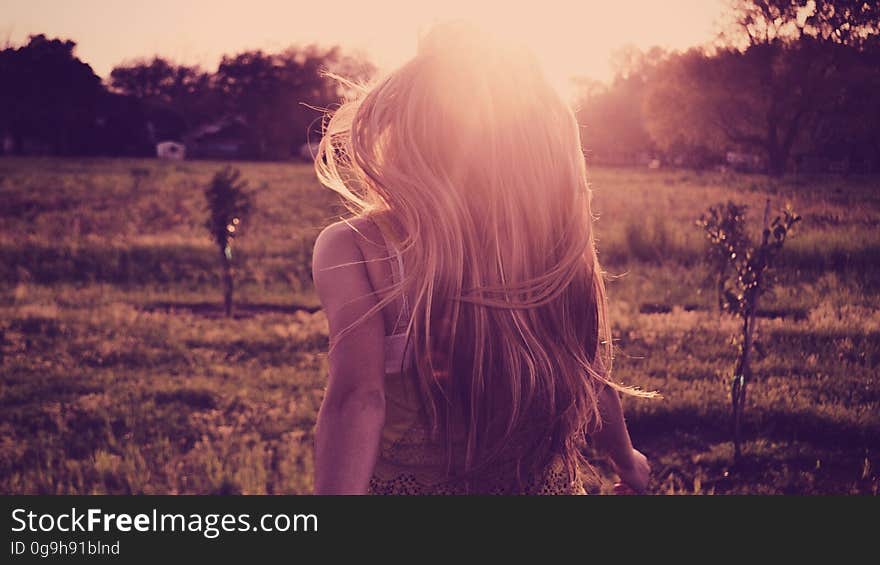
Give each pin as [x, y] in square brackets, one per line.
[119, 374]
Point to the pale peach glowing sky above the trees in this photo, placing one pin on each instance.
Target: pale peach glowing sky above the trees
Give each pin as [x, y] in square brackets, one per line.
[570, 38]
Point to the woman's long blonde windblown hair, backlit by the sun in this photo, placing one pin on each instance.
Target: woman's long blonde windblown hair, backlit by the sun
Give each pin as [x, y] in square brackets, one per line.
[474, 163]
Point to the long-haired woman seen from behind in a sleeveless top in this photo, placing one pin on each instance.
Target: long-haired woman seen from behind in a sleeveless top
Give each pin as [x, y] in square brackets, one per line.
[469, 342]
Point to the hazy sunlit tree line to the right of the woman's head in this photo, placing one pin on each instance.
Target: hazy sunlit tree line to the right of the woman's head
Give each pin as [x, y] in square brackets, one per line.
[790, 85]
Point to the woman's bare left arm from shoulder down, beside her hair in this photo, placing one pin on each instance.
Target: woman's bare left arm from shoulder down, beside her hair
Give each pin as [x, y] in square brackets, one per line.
[353, 410]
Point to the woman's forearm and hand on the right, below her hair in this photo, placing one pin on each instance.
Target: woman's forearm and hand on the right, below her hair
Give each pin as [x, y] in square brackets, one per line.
[613, 438]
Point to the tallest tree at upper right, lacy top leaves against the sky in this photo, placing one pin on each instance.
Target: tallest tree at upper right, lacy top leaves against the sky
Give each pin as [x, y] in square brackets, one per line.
[785, 65]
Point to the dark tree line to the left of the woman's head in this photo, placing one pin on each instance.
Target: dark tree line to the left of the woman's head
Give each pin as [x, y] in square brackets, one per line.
[53, 103]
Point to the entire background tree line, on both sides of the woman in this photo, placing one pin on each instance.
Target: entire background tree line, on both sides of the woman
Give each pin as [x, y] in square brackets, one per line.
[790, 85]
